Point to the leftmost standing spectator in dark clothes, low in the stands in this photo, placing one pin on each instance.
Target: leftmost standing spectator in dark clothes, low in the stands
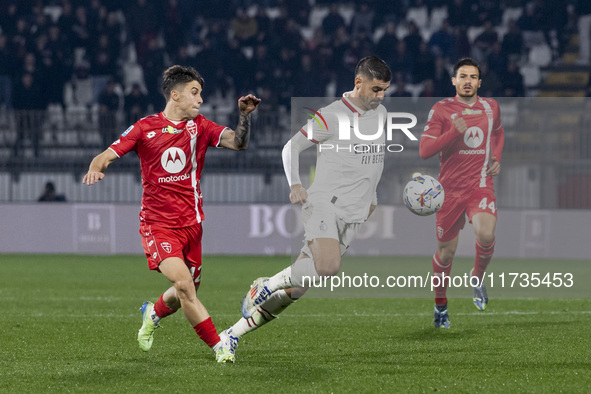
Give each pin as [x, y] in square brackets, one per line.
[29, 110]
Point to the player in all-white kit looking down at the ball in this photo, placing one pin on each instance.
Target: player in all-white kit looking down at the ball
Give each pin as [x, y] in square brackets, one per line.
[342, 196]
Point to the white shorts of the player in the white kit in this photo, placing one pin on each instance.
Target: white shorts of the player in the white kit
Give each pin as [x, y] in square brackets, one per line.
[322, 221]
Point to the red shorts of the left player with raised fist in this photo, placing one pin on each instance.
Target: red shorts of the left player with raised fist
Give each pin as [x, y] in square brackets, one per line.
[185, 243]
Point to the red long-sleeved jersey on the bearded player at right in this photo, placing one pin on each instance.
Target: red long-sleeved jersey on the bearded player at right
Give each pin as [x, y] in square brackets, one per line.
[464, 158]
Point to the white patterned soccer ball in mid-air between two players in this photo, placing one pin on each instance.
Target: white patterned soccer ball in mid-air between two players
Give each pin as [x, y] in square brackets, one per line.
[423, 195]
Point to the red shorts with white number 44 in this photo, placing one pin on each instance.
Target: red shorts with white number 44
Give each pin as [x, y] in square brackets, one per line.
[451, 217]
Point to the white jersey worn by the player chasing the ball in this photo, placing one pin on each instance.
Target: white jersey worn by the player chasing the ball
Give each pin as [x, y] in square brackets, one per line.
[349, 164]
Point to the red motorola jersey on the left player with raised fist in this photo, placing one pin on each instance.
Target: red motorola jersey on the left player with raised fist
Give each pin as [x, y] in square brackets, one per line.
[171, 159]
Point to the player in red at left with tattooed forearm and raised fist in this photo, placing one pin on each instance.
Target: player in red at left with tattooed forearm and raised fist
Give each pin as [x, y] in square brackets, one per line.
[171, 146]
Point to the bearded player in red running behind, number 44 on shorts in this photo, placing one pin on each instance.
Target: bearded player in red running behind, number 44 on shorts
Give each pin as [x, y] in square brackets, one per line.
[467, 133]
